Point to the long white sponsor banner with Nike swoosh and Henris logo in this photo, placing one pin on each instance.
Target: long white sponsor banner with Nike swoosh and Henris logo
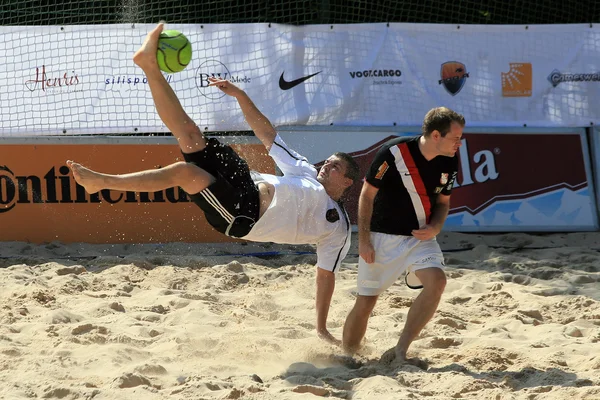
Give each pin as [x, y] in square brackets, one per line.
[81, 79]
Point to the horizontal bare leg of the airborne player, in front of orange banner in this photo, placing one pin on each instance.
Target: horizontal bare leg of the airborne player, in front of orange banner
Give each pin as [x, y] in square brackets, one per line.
[189, 177]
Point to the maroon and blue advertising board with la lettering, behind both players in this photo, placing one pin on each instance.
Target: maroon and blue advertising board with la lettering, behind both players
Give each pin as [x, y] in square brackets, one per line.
[509, 179]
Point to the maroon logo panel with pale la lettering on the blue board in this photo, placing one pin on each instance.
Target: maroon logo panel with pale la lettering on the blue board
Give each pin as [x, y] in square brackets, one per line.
[488, 174]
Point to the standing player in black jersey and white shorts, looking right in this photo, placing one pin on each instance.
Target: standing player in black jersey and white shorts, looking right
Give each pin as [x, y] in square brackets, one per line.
[403, 205]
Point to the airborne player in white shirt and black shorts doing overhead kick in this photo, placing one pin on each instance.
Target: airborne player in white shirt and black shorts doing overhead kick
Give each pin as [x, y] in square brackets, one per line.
[300, 207]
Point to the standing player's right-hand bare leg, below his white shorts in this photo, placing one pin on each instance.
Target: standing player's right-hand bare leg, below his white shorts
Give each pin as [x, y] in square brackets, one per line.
[422, 309]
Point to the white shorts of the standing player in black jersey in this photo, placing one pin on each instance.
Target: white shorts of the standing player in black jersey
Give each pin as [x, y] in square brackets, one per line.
[395, 254]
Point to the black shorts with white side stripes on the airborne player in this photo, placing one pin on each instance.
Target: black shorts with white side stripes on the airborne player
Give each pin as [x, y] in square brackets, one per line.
[231, 204]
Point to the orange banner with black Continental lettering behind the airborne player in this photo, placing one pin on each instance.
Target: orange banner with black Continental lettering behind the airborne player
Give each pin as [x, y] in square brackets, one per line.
[41, 202]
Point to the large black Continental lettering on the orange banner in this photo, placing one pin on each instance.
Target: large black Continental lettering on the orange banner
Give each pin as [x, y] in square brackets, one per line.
[56, 186]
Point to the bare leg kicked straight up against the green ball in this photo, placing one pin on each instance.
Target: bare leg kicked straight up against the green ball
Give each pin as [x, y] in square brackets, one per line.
[167, 104]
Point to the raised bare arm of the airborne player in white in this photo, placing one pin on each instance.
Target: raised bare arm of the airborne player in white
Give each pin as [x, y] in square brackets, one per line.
[258, 122]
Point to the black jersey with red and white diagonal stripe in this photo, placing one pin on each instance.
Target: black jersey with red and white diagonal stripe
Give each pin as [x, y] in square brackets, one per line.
[408, 185]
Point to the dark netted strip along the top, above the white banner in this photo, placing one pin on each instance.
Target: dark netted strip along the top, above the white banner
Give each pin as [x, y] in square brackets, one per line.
[68, 12]
